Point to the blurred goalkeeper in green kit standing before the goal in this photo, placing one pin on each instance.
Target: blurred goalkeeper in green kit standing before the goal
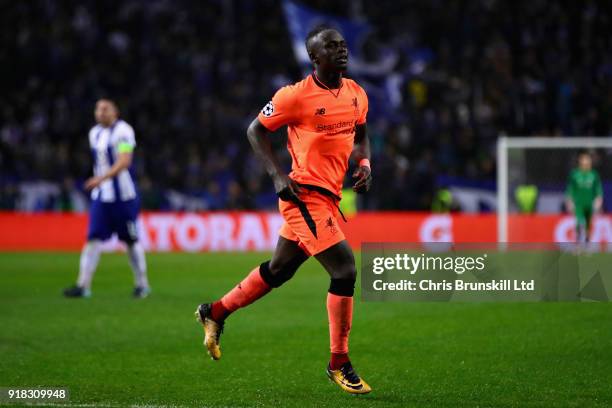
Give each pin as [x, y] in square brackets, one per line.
[584, 195]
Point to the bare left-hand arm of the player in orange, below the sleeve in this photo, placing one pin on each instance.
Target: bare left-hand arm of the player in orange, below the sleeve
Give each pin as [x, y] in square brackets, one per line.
[259, 137]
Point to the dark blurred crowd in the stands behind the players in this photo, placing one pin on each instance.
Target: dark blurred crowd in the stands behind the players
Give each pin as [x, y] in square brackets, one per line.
[189, 76]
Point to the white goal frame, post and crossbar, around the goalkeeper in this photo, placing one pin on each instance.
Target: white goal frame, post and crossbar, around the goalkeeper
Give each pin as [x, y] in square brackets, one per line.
[505, 143]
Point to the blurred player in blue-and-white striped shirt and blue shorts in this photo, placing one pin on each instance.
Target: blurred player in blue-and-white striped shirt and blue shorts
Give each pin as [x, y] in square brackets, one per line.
[115, 202]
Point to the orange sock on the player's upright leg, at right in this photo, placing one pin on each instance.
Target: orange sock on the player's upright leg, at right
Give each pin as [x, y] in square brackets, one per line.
[340, 315]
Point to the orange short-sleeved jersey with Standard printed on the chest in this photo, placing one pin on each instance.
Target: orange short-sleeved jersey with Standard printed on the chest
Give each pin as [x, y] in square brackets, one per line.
[320, 128]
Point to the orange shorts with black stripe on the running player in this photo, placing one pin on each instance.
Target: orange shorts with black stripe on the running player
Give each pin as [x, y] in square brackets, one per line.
[313, 224]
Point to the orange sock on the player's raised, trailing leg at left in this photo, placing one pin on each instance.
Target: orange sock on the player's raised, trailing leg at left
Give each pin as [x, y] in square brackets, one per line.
[246, 292]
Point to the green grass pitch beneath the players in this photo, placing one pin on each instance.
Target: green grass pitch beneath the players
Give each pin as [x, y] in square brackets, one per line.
[117, 351]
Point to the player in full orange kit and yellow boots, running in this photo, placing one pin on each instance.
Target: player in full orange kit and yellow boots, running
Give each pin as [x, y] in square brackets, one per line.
[325, 115]
